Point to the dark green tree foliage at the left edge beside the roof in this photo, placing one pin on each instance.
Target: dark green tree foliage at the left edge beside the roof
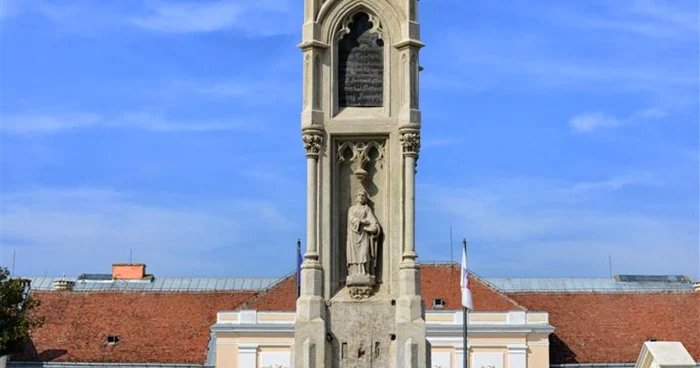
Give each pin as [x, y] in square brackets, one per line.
[16, 316]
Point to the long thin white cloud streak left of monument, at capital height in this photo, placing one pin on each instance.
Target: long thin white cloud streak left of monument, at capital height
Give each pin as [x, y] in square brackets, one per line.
[67, 122]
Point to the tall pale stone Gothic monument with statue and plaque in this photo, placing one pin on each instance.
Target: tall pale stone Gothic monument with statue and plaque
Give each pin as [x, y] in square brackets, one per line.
[360, 303]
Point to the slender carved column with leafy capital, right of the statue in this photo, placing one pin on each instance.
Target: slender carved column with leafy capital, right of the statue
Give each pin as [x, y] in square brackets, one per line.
[410, 142]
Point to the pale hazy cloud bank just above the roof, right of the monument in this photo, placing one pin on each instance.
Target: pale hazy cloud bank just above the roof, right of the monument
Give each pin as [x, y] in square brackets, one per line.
[533, 228]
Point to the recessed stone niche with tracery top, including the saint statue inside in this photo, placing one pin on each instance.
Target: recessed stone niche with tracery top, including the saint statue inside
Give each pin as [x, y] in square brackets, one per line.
[361, 173]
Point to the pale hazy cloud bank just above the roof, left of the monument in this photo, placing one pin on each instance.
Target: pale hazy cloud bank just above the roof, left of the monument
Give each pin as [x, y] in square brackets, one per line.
[88, 228]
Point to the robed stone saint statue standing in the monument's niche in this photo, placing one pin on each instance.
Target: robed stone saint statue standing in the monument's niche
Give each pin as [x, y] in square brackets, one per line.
[363, 231]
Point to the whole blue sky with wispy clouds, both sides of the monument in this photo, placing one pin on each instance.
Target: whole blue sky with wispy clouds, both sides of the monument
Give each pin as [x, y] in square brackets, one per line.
[555, 135]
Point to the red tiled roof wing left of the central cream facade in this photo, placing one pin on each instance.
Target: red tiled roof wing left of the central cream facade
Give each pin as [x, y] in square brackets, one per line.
[152, 327]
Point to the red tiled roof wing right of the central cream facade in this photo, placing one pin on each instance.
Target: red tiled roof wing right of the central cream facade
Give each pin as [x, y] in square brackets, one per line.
[611, 327]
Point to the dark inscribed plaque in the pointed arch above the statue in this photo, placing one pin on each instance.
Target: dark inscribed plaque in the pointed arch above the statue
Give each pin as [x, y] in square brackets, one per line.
[361, 65]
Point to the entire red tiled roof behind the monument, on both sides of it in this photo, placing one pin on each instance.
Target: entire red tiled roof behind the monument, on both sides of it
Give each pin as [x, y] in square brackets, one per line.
[174, 327]
